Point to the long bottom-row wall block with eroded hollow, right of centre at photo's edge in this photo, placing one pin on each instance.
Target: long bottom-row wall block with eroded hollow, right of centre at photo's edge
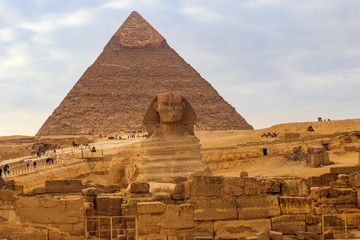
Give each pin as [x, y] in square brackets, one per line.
[241, 228]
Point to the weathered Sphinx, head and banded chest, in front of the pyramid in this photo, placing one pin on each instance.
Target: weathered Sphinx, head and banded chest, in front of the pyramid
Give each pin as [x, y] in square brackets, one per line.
[171, 149]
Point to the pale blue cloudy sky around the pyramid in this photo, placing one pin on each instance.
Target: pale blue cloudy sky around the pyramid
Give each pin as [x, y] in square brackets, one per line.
[275, 61]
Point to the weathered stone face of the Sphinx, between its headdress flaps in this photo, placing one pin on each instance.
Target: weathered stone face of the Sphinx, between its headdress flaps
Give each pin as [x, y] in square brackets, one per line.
[170, 108]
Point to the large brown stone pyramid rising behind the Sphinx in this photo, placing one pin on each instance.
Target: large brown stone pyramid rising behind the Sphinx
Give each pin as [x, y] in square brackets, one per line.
[114, 92]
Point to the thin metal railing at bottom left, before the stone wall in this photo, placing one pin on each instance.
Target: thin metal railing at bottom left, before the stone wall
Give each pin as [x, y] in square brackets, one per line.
[109, 227]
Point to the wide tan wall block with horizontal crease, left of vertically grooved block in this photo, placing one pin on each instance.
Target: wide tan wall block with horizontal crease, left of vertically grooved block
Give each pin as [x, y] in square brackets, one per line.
[252, 207]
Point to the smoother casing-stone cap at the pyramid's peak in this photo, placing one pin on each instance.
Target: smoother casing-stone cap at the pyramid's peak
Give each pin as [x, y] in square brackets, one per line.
[137, 32]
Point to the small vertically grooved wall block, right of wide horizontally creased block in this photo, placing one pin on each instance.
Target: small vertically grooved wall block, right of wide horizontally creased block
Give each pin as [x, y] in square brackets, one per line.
[295, 205]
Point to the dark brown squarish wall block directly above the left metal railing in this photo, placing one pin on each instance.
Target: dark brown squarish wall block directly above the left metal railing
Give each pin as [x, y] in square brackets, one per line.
[108, 205]
